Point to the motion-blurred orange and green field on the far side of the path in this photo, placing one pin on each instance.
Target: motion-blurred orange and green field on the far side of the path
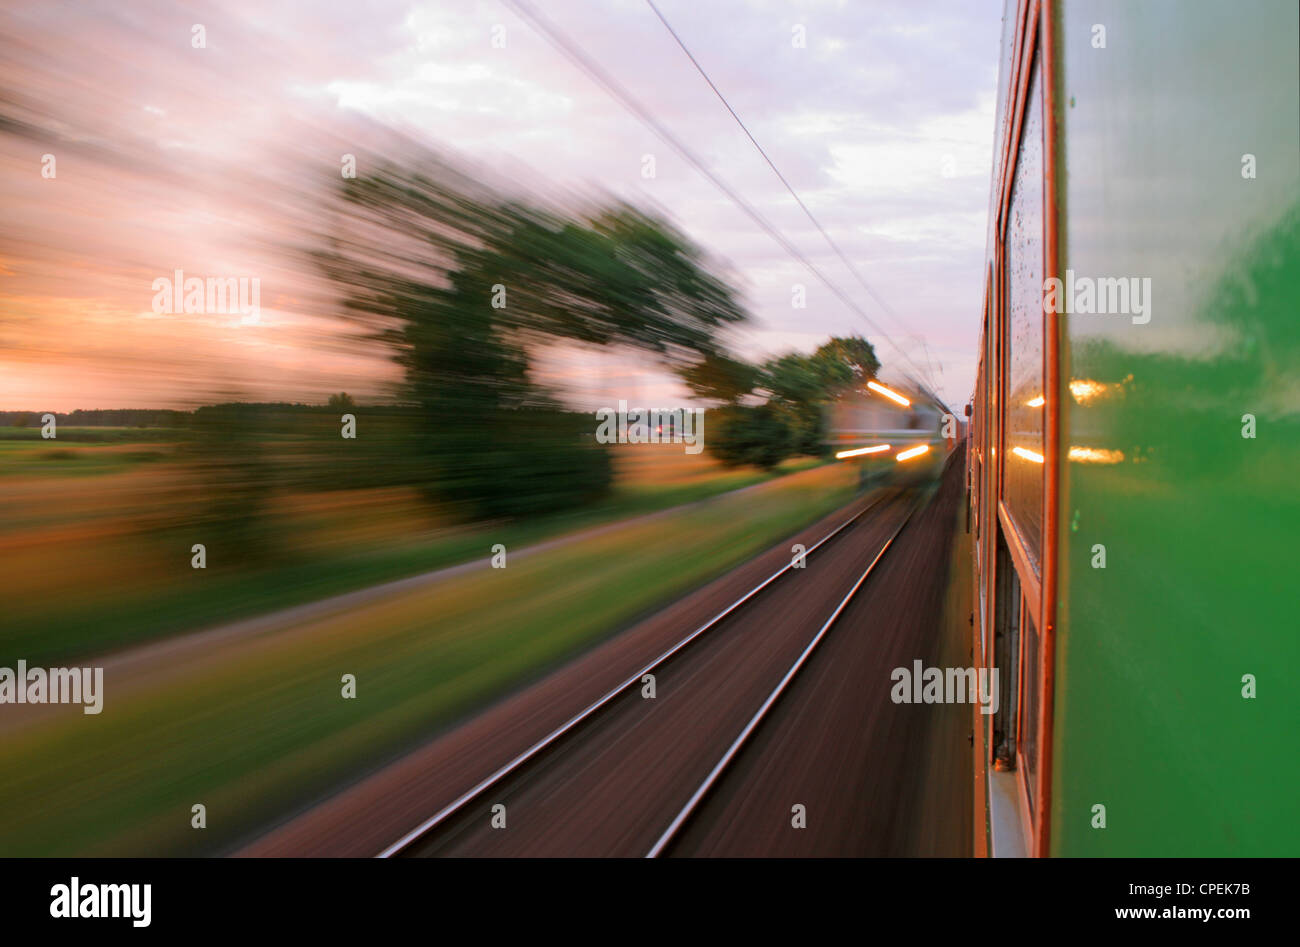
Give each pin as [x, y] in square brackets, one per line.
[97, 546]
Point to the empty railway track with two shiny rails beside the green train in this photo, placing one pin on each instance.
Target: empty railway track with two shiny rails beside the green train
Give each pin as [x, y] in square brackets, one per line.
[626, 775]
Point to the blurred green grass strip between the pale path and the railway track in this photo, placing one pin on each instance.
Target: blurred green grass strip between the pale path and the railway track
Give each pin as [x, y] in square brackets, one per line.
[259, 728]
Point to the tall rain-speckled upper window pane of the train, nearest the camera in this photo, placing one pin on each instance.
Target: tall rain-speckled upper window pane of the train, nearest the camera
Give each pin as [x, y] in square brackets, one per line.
[1024, 455]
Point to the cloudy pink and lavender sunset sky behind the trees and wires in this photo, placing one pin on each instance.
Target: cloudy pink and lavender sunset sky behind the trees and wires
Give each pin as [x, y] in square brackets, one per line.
[211, 159]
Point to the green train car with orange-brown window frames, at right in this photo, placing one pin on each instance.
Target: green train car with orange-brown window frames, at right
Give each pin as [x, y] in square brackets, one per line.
[1134, 444]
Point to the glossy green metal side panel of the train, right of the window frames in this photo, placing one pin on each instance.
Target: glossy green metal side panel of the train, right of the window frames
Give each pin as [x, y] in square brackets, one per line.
[1201, 525]
